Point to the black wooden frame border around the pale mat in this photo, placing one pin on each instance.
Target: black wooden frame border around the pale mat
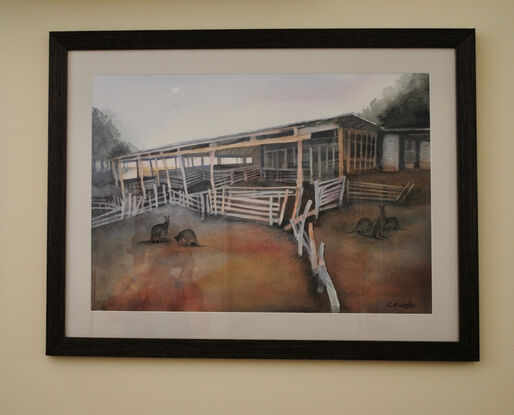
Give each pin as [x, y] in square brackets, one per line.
[461, 40]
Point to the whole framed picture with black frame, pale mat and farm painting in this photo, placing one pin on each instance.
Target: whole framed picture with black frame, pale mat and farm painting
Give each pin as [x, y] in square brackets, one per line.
[292, 194]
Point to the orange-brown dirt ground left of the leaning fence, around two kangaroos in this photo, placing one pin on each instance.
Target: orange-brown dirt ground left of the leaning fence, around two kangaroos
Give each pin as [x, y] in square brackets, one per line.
[240, 266]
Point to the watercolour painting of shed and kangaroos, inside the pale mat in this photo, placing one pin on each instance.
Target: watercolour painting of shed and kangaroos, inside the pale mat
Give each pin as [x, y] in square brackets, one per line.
[295, 193]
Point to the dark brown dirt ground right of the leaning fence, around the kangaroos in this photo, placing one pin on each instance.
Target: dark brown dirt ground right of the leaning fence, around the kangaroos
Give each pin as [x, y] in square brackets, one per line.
[382, 276]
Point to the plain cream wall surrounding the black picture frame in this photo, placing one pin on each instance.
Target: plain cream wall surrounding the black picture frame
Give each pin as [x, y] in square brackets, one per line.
[31, 383]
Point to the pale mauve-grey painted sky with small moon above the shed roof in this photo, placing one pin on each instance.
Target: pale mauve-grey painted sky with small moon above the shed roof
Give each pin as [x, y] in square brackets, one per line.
[156, 110]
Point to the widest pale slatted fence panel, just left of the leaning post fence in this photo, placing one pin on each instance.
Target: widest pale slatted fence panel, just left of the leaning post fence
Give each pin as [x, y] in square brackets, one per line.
[263, 204]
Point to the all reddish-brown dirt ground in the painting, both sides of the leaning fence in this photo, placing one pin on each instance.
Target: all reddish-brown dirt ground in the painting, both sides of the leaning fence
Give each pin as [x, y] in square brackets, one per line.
[245, 266]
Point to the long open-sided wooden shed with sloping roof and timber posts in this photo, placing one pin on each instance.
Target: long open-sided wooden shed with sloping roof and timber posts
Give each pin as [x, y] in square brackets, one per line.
[309, 150]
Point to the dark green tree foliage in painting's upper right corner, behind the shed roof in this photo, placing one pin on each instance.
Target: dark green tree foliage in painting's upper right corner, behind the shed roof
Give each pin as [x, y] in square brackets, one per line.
[404, 105]
